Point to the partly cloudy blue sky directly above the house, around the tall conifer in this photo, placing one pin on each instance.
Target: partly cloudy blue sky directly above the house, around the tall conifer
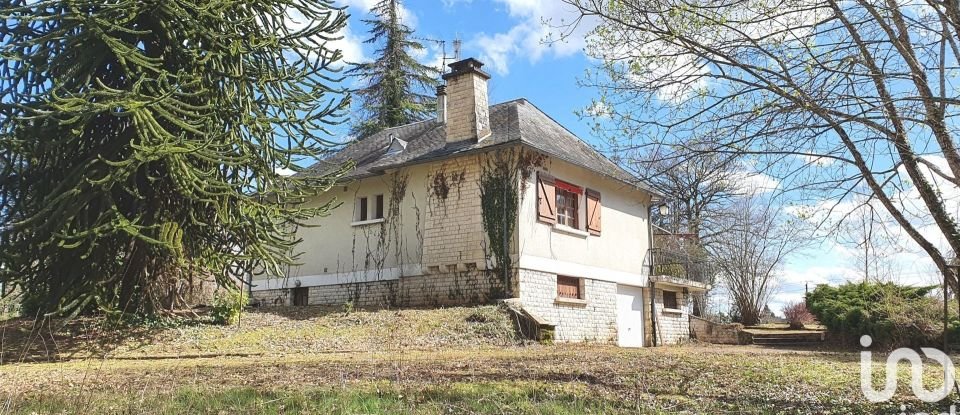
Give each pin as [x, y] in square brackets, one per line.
[506, 36]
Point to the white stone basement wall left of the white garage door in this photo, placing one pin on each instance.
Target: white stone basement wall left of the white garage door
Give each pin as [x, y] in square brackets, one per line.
[595, 320]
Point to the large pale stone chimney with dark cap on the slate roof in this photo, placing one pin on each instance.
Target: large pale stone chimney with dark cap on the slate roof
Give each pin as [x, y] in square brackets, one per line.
[467, 108]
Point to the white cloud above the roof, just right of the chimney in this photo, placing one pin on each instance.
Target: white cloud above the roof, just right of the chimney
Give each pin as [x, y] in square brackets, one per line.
[540, 32]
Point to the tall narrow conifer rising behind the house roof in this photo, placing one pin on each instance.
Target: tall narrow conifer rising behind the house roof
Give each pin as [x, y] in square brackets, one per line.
[398, 88]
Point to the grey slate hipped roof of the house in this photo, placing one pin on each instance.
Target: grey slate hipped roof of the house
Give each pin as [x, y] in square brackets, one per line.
[511, 122]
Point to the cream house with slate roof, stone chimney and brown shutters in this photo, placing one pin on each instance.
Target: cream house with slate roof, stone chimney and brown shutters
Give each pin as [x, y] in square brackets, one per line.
[488, 202]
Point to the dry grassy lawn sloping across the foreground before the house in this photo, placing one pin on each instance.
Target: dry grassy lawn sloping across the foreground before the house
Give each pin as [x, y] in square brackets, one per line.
[456, 361]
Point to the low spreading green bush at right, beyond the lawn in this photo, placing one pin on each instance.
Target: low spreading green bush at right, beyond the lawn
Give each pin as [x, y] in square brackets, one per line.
[893, 315]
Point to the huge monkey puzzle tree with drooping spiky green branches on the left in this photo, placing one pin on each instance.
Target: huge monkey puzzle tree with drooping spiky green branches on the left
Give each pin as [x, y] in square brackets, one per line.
[139, 143]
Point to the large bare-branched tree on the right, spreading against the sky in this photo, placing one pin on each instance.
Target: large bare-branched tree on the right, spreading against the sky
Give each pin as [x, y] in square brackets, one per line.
[825, 95]
